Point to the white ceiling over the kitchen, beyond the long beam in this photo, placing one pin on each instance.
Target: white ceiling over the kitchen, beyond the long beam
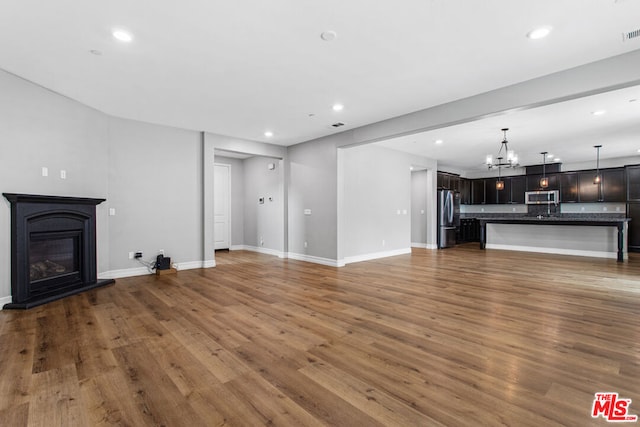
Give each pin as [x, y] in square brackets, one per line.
[568, 130]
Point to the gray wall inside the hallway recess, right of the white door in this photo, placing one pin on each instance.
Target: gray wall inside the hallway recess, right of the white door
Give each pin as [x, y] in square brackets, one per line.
[264, 223]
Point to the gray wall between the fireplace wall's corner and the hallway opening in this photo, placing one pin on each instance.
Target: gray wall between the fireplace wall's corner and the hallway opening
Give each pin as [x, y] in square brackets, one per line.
[155, 185]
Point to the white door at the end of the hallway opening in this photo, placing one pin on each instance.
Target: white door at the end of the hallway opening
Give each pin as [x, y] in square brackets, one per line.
[222, 205]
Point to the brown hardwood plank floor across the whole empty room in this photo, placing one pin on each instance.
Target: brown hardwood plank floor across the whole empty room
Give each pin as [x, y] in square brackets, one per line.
[451, 337]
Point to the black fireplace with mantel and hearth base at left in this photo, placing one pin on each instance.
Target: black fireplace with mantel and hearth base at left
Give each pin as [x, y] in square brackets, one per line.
[53, 248]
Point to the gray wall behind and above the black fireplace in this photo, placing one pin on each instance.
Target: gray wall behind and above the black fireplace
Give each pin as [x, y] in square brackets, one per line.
[40, 128]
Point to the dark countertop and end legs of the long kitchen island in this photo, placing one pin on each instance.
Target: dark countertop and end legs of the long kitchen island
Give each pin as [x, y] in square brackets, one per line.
[573, 220]
